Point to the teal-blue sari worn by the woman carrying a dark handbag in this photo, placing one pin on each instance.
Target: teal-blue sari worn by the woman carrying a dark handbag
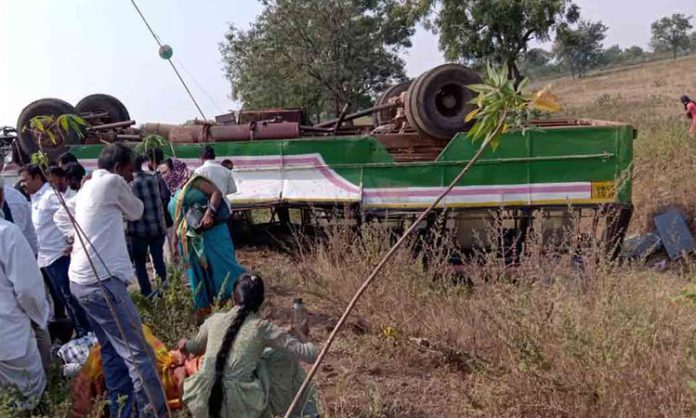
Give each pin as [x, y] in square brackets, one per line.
[208, 255]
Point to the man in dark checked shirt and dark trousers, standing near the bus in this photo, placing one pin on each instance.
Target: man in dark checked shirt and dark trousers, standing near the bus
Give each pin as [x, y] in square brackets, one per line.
[147, 233]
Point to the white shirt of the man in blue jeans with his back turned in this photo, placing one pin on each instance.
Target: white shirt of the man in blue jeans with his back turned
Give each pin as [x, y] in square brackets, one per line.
[99, 208]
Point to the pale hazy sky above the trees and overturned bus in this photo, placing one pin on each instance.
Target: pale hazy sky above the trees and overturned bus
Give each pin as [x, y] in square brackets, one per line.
[69, 49]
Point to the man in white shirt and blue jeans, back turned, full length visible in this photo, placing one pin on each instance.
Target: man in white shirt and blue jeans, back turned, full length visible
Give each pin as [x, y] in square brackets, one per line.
[99, 273]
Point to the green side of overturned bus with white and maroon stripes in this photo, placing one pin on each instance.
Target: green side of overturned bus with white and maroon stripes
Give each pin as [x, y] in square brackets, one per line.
[570, 165]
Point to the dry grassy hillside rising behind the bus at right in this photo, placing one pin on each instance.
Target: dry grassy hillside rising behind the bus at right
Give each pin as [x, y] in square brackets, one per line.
[647, 97]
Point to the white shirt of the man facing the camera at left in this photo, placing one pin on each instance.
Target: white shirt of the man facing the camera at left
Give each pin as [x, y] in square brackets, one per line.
[52, 244]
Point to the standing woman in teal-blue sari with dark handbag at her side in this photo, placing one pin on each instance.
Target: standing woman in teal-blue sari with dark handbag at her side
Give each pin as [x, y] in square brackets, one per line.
[206, 248]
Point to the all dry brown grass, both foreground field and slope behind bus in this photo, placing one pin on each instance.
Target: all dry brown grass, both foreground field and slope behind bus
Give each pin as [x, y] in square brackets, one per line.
[545, 340]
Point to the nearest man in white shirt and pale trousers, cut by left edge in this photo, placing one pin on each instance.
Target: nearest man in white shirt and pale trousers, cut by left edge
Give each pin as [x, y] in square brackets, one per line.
[23, 303]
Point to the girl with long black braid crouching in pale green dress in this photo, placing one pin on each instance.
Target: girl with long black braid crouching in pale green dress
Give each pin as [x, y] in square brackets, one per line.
[250, 367]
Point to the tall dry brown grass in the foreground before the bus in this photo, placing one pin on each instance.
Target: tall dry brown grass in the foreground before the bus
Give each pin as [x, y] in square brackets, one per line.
[544, 340]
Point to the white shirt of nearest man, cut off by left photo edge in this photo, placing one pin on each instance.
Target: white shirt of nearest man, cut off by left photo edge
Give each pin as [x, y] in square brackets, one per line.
[22, 294]
